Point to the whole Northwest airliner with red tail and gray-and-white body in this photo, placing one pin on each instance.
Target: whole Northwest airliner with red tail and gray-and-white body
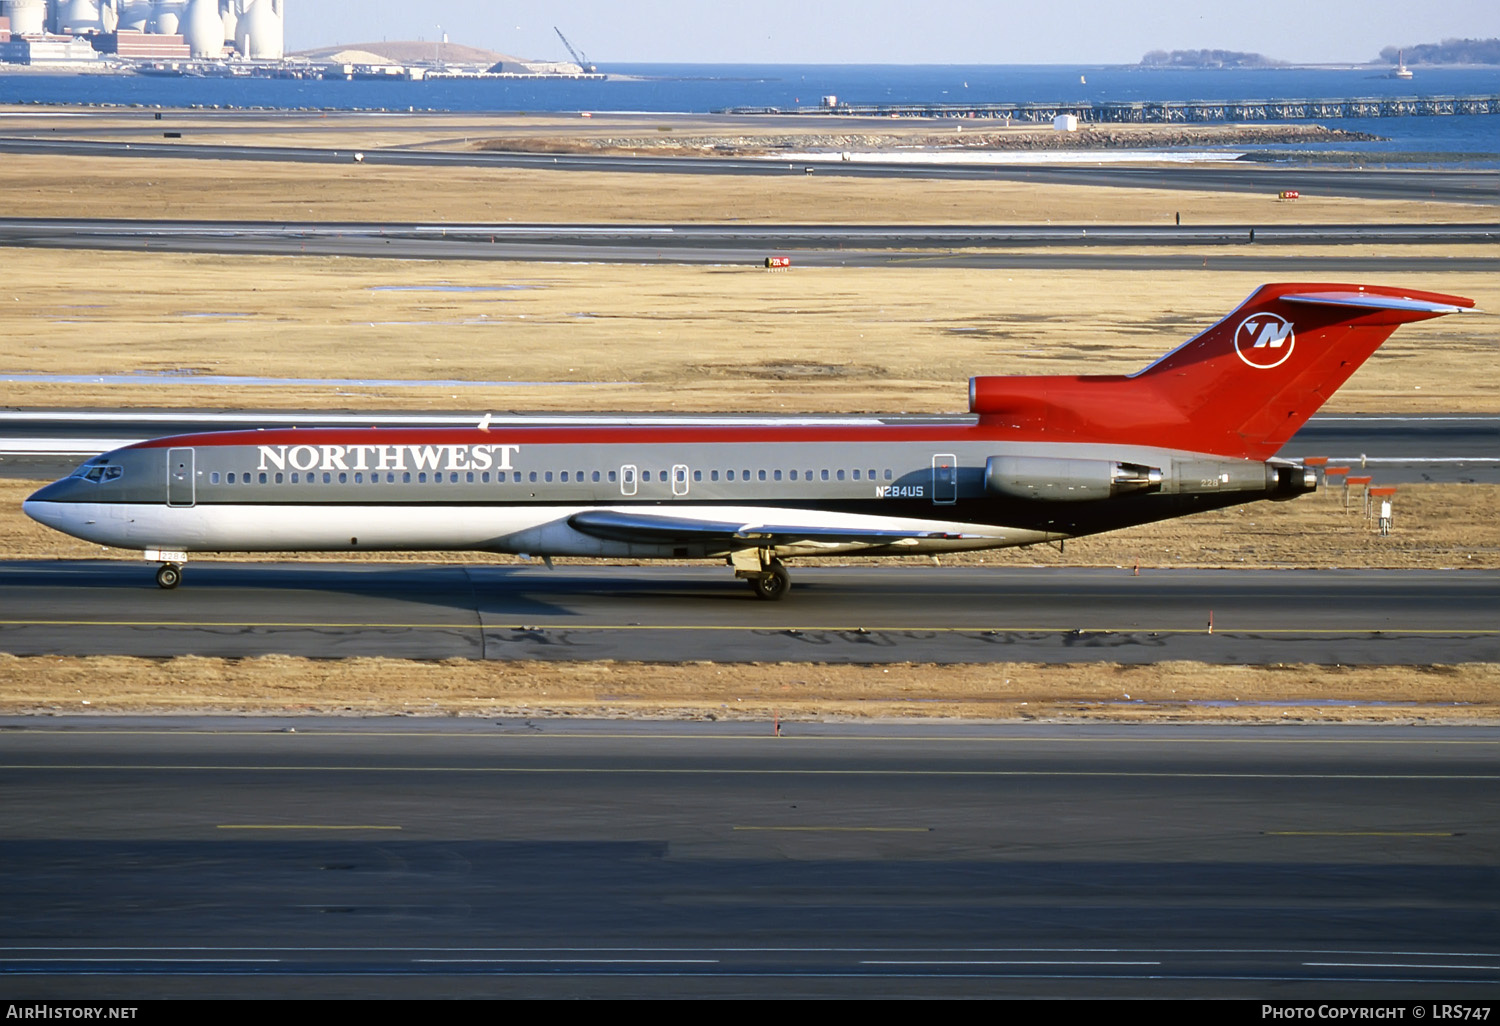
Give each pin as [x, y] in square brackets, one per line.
[1049, 458]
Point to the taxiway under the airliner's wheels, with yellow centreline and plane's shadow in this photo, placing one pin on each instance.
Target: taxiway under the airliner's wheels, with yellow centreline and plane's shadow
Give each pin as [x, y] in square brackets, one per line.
[863, 614]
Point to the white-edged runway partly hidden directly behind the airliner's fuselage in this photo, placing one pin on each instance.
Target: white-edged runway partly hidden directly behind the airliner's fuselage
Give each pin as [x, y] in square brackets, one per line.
[44, 445]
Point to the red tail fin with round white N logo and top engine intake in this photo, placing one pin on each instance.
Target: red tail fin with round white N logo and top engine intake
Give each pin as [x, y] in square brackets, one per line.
[1240, 389]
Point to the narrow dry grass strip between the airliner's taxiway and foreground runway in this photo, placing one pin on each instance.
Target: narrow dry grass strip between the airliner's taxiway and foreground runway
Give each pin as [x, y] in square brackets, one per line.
[757, 695]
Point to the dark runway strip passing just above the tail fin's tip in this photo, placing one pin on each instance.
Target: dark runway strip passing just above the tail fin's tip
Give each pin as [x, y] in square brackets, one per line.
[1000, 247]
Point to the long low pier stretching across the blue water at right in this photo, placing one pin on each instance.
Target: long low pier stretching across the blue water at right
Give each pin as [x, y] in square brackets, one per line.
[1163, 112]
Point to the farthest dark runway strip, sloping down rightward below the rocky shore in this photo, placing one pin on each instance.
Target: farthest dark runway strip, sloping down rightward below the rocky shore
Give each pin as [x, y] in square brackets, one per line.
[1435, 185]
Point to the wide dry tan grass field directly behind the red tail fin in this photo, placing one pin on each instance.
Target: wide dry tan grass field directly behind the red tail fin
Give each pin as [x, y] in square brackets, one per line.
[619, 337]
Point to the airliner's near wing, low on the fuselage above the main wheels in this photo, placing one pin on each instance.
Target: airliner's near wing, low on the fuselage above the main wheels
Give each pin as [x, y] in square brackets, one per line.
[653, 529]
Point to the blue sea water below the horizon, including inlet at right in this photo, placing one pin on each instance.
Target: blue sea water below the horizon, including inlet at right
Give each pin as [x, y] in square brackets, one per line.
[710, 88]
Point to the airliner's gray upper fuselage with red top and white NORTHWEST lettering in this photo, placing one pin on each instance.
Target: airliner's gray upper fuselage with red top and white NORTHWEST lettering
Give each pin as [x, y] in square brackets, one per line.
[932, 470]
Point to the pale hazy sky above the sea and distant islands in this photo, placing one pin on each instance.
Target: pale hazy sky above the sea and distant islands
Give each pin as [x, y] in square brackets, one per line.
[901, 32]
